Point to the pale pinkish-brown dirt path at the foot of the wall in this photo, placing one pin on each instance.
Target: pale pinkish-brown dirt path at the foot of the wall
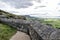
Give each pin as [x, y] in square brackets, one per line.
[20, 36]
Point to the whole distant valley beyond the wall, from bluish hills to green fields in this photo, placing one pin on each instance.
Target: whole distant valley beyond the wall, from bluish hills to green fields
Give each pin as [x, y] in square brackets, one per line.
[54, 22]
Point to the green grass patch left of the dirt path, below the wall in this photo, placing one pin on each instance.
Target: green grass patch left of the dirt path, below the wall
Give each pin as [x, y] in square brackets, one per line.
[6, 32]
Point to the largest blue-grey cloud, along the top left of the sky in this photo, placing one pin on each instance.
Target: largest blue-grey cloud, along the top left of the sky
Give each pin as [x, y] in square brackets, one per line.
[19, 3]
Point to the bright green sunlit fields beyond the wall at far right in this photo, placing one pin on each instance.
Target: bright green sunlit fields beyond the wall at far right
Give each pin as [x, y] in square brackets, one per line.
[54, 22]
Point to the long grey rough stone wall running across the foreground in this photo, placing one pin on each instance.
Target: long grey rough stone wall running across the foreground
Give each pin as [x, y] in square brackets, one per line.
[34, 29]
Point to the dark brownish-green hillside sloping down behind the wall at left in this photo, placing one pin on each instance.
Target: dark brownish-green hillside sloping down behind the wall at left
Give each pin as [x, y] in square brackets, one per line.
[10, 15]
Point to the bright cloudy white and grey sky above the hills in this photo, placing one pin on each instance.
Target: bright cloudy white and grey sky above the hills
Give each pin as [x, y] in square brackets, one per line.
[36, 8]
